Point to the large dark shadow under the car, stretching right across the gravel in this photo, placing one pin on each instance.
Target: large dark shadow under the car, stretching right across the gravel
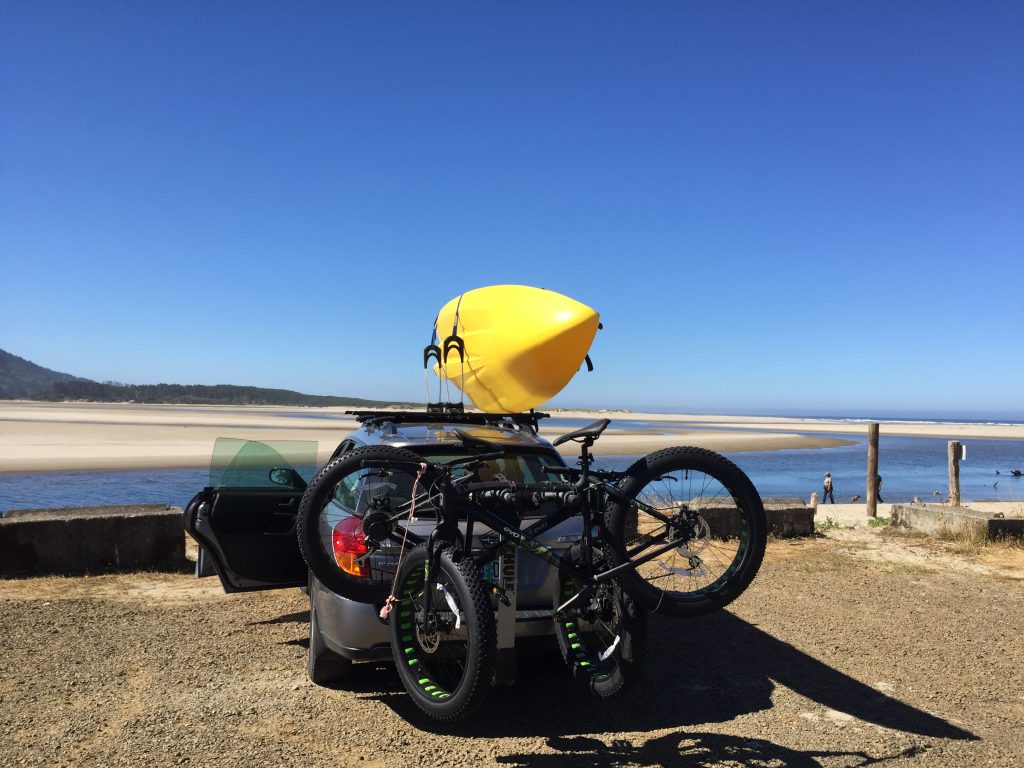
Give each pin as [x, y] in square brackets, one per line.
[708, 670]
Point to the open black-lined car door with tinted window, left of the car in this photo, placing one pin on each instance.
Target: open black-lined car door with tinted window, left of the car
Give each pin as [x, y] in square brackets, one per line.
[245, 520]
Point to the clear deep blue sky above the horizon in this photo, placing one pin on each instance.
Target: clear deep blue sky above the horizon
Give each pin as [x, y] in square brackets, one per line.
[776, 207]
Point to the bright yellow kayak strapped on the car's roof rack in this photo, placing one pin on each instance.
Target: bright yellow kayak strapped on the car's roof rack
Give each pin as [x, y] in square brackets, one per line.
[522, 346]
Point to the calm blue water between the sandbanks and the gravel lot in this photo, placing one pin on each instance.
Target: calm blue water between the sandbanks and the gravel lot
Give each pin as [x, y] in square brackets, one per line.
[910, 466]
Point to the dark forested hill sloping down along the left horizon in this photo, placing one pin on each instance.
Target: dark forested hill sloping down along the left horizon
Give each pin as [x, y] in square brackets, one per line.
[21, 379]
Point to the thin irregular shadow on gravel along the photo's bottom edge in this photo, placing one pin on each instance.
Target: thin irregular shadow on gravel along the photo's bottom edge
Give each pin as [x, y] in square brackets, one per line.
[690, 751]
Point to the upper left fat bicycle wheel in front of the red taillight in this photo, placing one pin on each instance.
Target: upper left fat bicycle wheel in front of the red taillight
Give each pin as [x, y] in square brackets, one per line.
[350, 498]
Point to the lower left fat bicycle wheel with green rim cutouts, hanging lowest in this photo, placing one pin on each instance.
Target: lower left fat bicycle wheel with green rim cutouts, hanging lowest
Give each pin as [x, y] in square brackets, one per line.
[446, 659]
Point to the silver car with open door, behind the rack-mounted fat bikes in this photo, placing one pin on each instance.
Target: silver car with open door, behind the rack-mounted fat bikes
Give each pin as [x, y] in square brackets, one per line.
[245, 525]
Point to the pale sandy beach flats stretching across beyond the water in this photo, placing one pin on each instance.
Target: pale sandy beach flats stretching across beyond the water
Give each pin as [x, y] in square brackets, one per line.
[39, 437]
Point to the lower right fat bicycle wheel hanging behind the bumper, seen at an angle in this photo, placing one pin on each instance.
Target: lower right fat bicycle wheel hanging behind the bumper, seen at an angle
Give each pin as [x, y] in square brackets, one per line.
[604, 643]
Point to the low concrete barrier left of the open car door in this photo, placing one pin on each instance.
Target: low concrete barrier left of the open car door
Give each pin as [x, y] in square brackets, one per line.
[92, 540]
